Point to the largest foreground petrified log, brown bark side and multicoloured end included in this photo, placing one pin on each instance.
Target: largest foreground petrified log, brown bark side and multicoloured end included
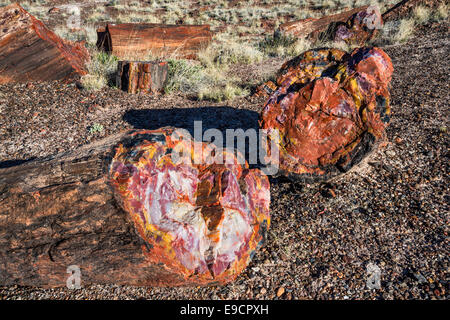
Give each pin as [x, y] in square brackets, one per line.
[62, 211]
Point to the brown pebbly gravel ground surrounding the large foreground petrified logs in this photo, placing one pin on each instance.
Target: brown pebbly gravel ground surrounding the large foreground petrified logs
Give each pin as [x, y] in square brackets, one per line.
[390, 211]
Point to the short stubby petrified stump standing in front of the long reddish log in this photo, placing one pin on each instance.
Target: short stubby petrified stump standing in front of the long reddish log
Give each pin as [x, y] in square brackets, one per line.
[141, 76]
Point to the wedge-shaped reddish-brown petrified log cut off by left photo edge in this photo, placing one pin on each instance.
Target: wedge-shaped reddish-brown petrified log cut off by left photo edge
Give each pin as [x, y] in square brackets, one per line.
[31, 52]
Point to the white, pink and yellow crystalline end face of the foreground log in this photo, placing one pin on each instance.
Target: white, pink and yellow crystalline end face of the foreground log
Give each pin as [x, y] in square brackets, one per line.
[201, 221]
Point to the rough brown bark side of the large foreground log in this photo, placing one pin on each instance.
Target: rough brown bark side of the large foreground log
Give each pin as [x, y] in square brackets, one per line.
[59, 211]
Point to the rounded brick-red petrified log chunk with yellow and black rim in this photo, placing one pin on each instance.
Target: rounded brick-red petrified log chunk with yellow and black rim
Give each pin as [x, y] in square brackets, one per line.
[330, 109]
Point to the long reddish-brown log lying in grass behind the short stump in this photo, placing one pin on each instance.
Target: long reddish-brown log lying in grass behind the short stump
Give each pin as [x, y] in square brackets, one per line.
[141, 39]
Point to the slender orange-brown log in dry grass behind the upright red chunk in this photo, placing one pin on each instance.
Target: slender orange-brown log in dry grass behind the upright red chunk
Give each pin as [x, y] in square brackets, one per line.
[312, 27]
